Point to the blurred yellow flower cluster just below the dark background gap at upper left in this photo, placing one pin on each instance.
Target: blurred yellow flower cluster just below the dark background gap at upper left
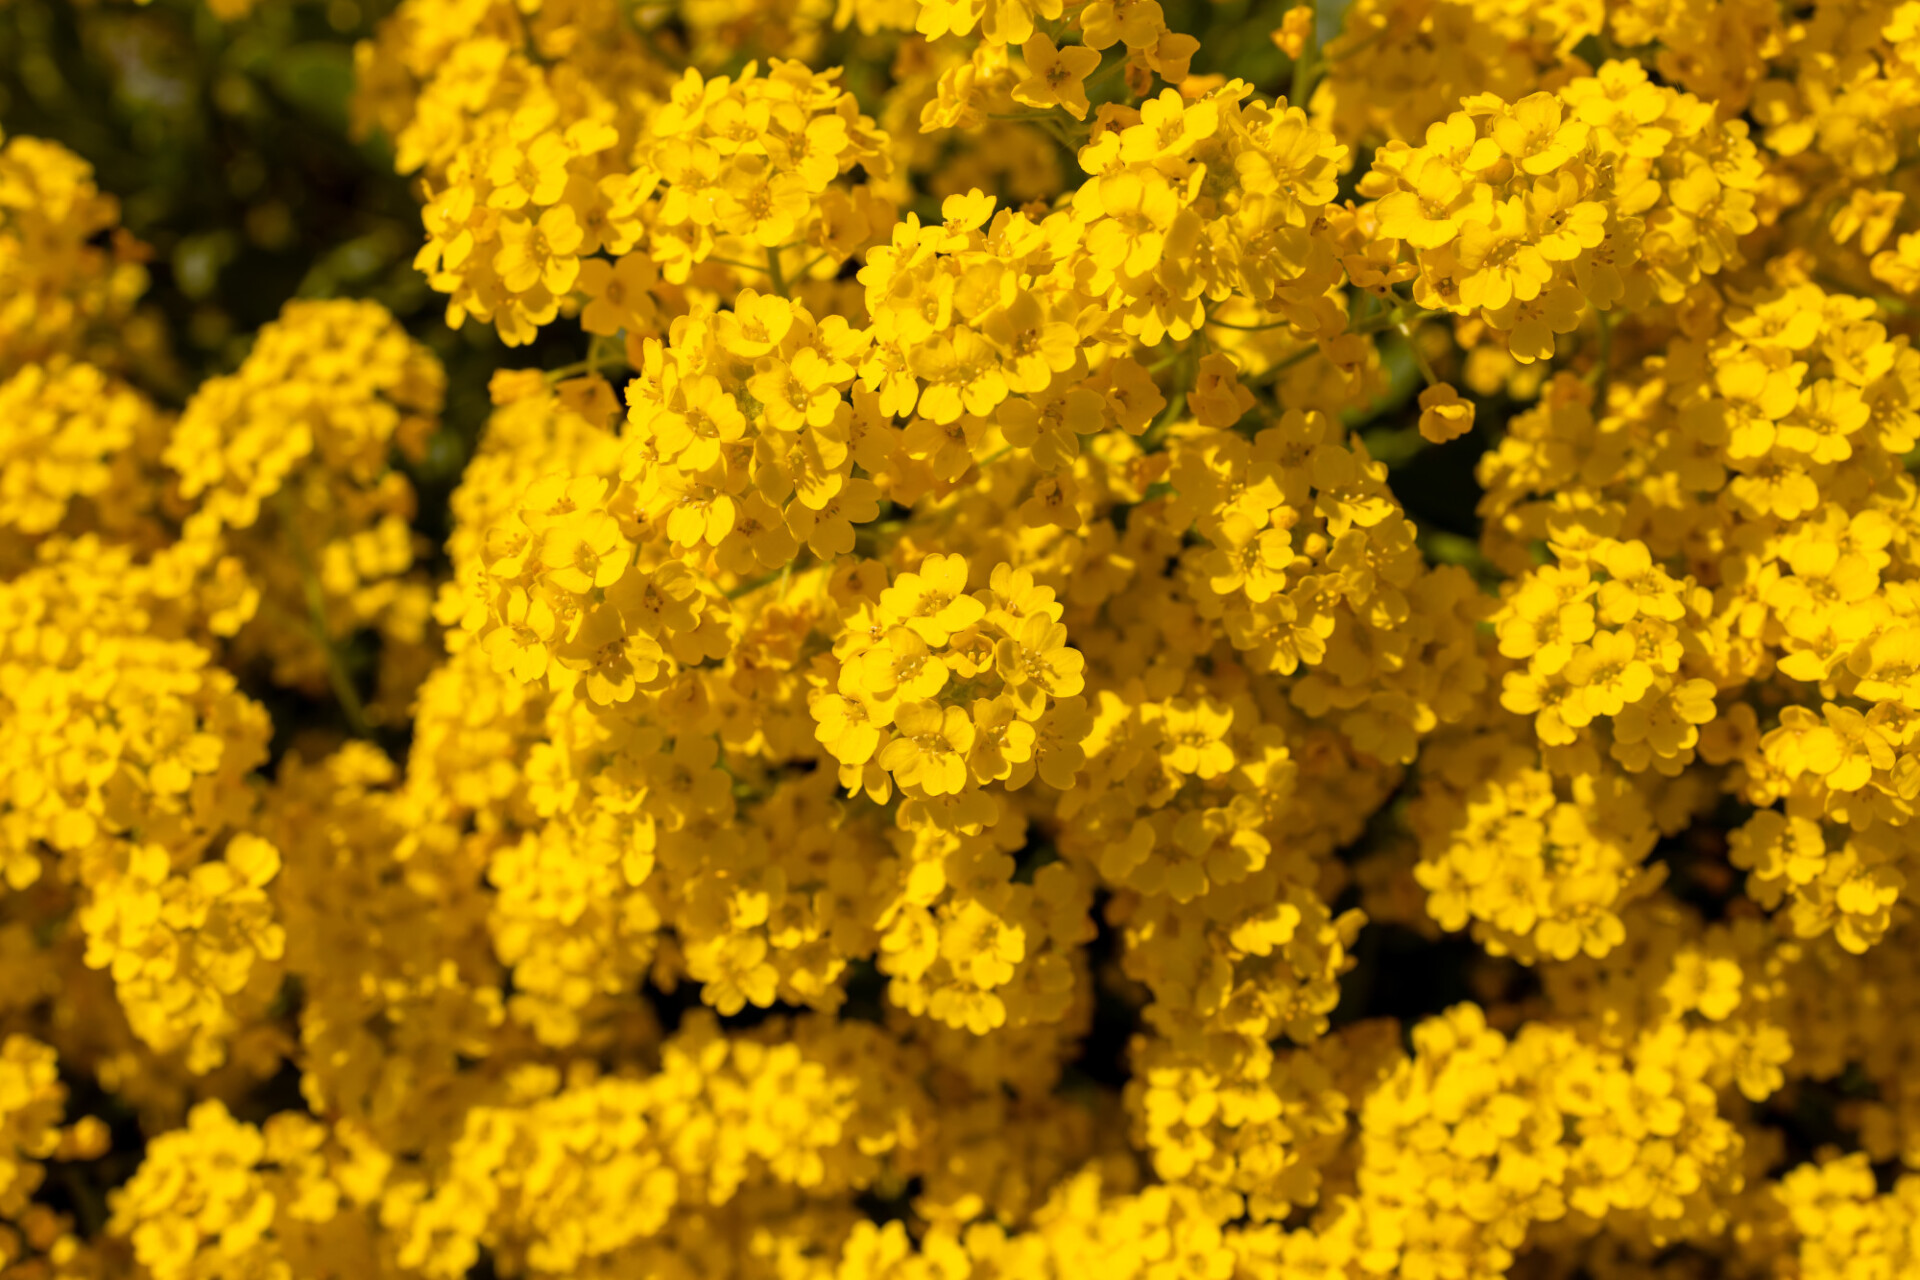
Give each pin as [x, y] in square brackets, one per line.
[300, 517]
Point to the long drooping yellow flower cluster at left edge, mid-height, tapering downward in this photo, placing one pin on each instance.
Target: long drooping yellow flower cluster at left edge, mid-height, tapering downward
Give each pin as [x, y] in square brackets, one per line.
[128, 788]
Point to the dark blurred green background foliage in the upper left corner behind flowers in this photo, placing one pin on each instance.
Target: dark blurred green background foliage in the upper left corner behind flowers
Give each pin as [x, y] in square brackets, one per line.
[229, 149]
